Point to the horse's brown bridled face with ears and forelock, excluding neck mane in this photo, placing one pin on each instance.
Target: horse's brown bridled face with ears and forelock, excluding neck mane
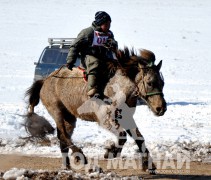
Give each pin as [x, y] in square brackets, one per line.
[150, 84]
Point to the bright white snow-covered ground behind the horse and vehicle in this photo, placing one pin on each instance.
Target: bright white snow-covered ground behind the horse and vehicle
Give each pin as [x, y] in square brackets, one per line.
[178, 32]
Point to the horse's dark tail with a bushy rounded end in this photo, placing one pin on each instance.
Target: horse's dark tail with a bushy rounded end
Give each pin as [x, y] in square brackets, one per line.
[37, 126]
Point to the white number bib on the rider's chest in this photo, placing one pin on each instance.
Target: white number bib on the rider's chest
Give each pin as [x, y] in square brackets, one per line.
[100, 38]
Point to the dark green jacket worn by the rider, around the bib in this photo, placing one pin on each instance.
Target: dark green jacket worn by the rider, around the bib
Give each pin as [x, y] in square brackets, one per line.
[83, 45]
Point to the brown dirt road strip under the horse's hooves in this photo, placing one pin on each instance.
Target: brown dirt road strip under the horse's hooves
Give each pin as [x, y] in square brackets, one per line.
[197, 170]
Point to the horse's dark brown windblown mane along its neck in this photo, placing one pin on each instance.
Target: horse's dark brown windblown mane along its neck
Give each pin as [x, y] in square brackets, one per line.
[128, 60]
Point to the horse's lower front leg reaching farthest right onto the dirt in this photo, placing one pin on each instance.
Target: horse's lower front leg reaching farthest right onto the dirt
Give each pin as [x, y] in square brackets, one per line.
[147, 162]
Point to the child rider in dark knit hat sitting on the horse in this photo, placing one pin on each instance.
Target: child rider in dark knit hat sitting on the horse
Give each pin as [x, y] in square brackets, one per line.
[94, 44]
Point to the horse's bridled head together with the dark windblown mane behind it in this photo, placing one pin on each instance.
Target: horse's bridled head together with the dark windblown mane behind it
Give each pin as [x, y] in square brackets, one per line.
[146, 75]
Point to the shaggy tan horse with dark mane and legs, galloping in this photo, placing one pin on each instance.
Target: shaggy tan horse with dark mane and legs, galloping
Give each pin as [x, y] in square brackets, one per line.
[63, 94]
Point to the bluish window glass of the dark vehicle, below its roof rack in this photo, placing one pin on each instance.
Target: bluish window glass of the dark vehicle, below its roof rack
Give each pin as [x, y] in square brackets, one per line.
[50, 56]
